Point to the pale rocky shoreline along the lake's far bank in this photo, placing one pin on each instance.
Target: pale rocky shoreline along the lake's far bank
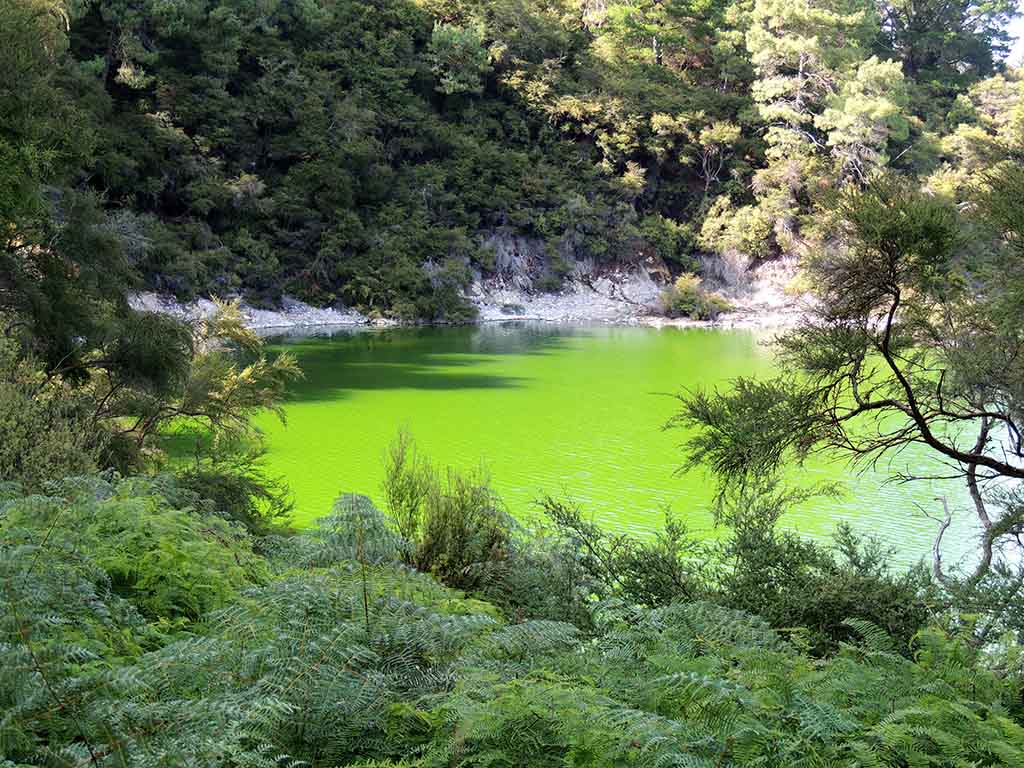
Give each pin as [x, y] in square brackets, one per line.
[614, 298]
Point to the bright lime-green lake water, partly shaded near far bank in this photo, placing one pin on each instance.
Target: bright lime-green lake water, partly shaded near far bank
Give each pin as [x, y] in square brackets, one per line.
[563, 411]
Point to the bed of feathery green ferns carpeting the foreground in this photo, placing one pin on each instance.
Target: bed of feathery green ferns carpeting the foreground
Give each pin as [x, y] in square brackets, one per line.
[351, 659]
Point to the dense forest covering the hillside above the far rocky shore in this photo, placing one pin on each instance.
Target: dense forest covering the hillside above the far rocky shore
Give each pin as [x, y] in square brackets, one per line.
[374, 154]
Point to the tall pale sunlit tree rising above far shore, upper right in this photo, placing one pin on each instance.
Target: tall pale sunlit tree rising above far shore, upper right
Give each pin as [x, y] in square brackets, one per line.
[816, 90]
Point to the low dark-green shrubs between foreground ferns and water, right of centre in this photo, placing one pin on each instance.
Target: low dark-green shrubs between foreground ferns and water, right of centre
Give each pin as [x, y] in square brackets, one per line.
[797, 585]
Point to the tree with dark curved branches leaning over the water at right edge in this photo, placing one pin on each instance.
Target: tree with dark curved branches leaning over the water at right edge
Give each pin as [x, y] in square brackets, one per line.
[913, 339]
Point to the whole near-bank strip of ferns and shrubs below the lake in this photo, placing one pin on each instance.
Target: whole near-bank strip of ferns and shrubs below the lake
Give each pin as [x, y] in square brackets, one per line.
[143, 627]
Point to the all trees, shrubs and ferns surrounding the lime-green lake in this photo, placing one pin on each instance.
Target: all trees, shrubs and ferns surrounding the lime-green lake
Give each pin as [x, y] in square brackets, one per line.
[160, 610]
